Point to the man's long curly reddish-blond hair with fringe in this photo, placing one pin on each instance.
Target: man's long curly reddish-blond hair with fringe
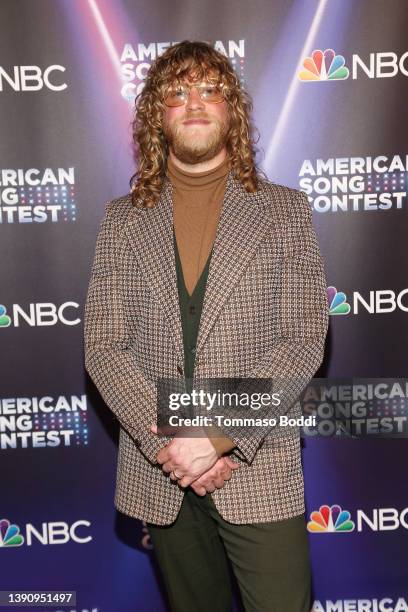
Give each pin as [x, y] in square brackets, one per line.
[151, 149]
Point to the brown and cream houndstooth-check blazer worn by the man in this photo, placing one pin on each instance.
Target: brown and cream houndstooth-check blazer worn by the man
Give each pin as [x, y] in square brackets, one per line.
[265, 314]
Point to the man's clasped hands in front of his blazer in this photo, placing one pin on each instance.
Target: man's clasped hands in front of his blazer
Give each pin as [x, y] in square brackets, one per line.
[194, 462]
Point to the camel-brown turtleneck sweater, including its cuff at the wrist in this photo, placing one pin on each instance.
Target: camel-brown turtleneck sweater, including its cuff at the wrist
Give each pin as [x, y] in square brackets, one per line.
[197, 204]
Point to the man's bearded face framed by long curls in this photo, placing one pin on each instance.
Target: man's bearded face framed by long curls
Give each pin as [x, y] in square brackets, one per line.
[198, 130]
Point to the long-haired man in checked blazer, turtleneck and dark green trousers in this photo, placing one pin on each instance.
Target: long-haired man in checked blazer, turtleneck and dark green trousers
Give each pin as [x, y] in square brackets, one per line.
[207, 270]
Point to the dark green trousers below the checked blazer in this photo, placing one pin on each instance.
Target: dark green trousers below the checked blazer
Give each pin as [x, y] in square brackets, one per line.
[269, 560]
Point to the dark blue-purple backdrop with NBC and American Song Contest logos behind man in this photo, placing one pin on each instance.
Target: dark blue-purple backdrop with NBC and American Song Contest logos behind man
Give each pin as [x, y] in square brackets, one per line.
[329, 81]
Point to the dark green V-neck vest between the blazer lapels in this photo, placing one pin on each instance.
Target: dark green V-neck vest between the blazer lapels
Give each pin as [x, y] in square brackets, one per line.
[190, 310]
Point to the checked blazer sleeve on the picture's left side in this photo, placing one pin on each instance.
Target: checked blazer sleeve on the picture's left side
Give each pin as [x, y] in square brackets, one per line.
[108, 359]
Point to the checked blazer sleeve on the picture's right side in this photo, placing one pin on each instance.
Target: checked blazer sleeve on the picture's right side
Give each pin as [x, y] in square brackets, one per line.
[303, 322]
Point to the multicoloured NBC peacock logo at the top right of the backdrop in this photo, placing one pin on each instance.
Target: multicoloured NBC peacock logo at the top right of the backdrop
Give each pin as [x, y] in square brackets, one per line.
[324, 66]
